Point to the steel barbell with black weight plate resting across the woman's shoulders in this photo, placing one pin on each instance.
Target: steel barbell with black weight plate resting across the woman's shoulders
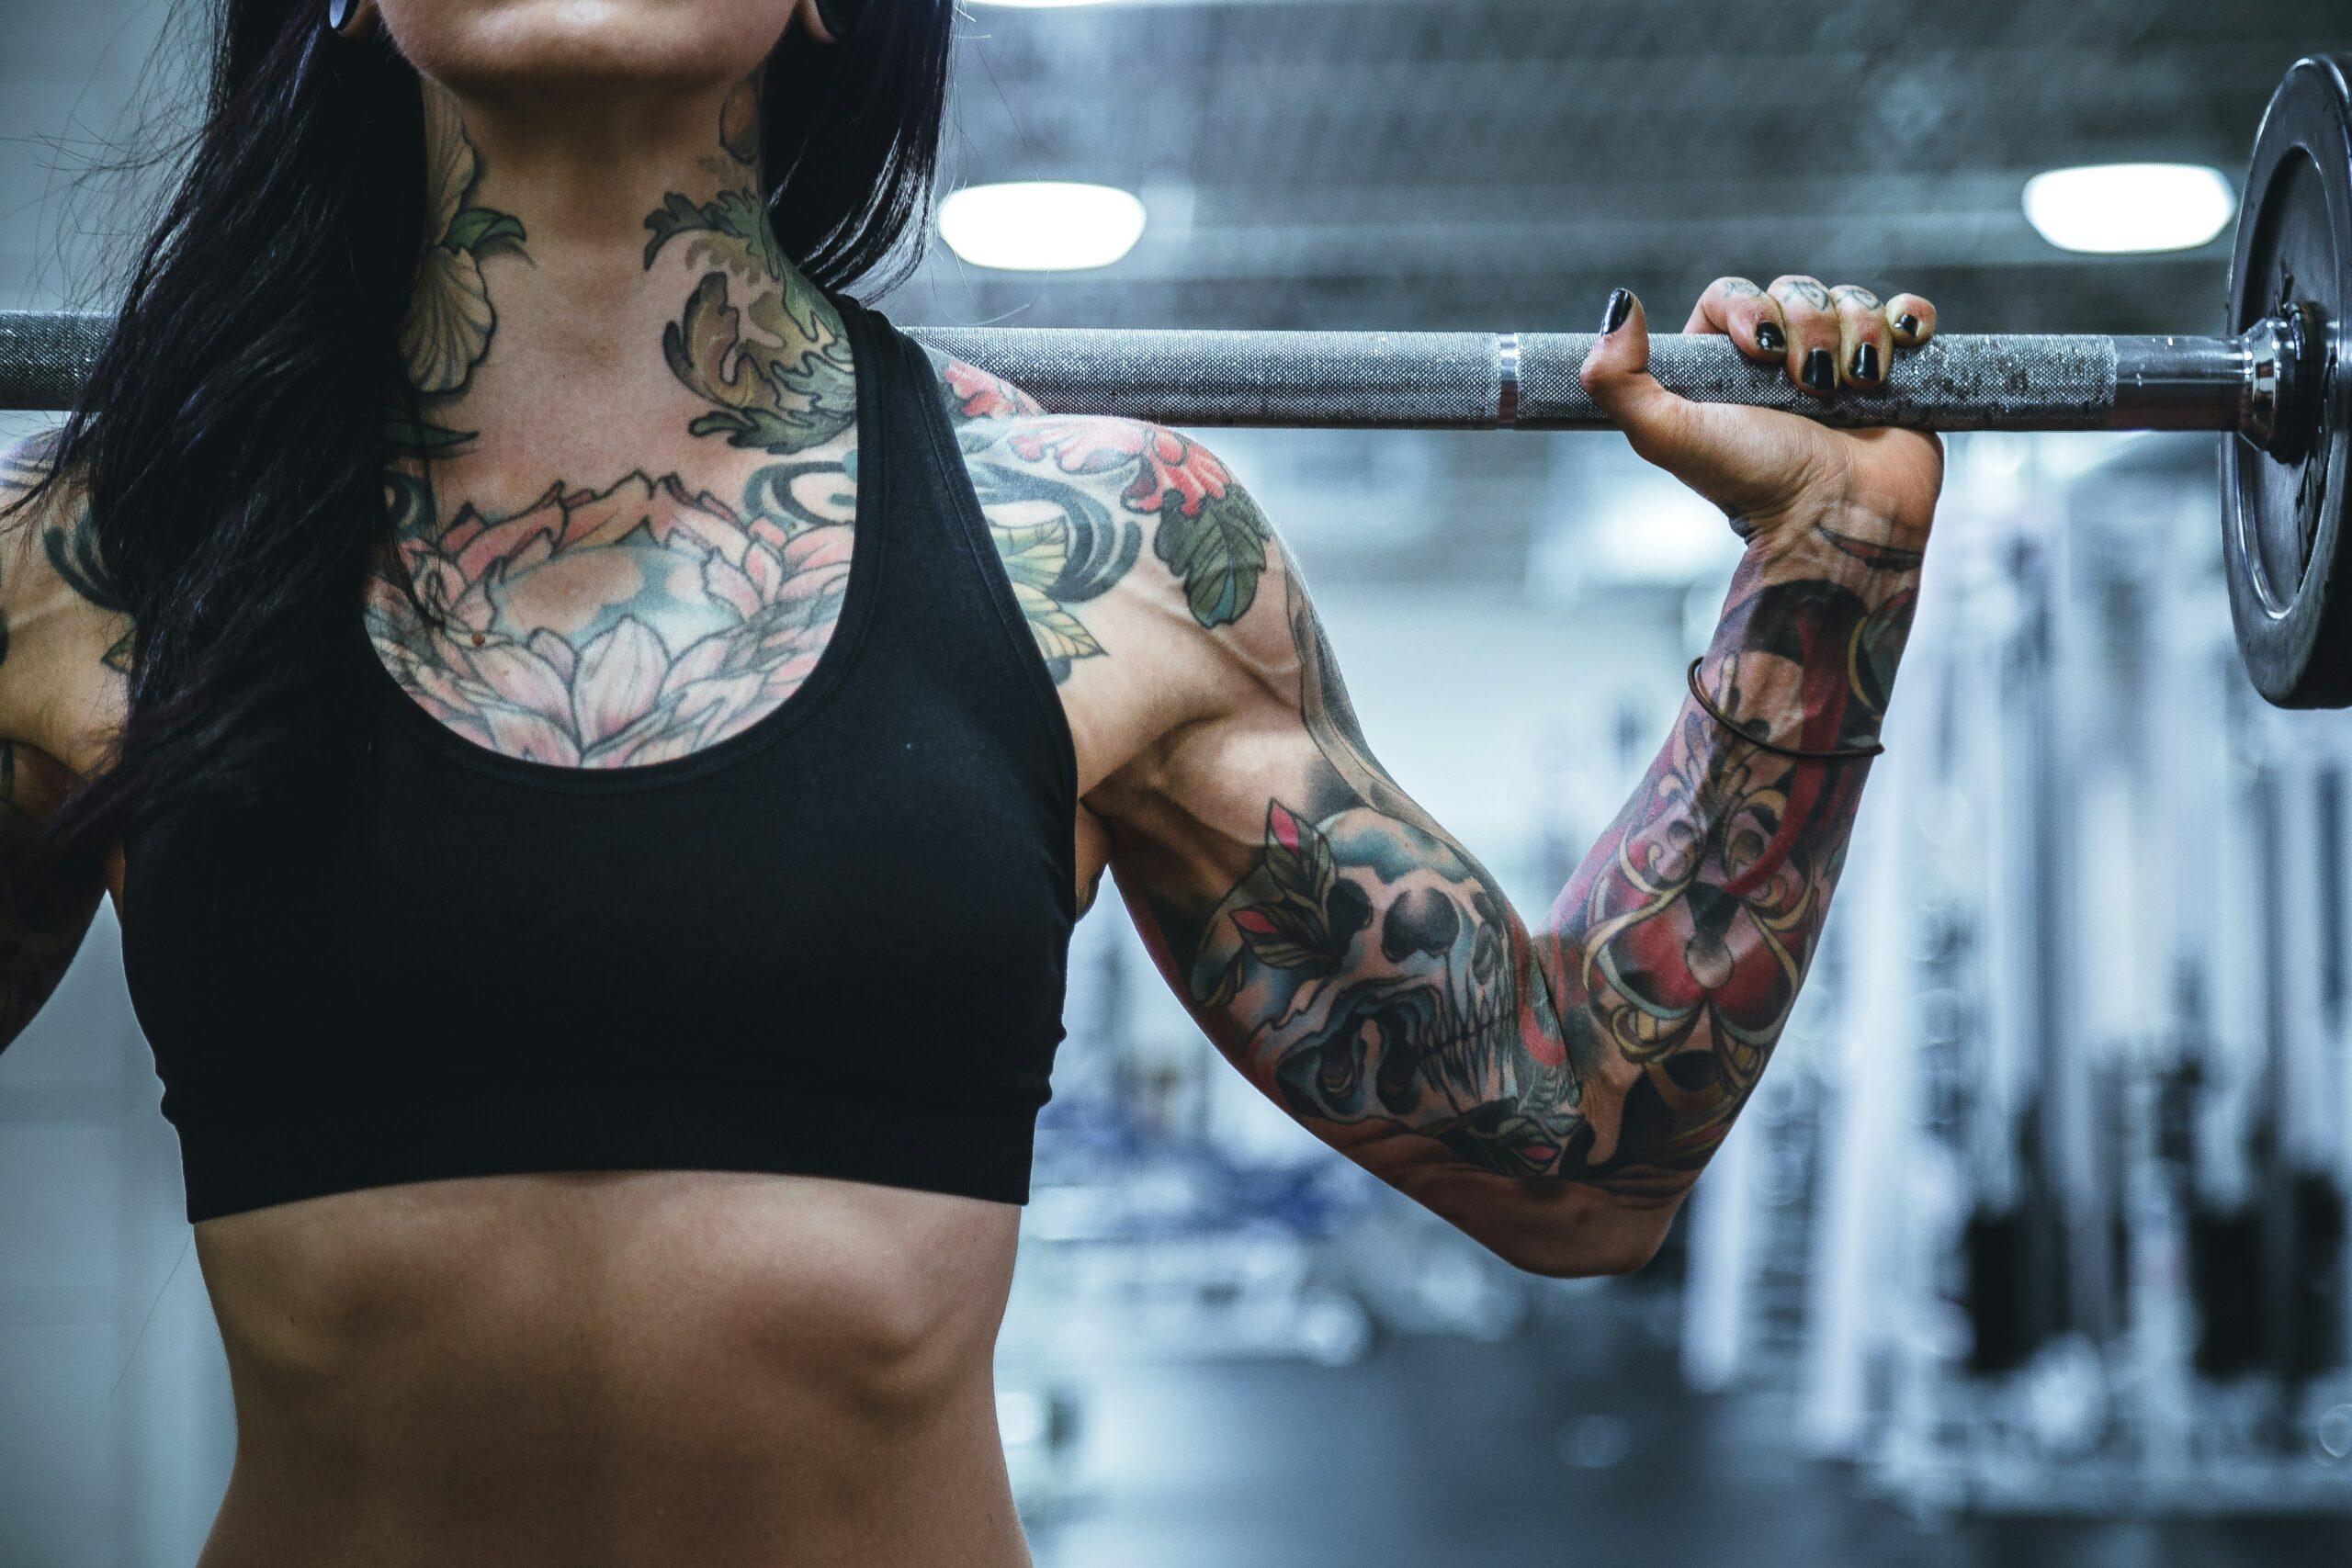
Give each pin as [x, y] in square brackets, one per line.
[2269, 384]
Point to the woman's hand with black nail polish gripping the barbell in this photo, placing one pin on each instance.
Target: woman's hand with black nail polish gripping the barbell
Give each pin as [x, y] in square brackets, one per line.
[1777, 474]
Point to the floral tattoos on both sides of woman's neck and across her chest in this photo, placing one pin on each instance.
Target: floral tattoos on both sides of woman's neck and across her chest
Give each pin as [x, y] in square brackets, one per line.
[643, 619]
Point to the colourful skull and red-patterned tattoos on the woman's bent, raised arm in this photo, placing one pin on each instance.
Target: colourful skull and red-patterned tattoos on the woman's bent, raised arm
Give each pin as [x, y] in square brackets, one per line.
[1372, 977]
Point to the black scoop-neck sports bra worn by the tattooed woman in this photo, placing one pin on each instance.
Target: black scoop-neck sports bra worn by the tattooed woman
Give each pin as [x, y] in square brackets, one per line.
[829, 944]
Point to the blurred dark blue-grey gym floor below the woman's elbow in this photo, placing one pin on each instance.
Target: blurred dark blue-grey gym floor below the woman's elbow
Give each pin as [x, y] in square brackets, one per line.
[1572, 1445]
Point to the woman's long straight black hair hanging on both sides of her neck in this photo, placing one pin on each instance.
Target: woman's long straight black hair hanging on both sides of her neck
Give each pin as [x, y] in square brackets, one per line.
[232, 441]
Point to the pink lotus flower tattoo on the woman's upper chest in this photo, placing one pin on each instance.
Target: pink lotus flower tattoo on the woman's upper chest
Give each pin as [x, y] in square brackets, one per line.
[530, 674]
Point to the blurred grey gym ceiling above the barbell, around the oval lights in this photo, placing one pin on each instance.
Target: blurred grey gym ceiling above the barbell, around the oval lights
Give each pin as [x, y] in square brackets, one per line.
[1506, 163]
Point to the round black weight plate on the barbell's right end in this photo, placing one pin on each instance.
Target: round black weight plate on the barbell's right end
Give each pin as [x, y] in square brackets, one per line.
[2283, 523]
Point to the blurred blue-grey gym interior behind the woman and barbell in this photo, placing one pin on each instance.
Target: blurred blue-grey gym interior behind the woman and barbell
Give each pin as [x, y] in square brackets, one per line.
[2033, 1245]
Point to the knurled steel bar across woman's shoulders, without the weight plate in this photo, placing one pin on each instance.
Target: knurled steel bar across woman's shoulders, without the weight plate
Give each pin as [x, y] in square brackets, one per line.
[1485, 382]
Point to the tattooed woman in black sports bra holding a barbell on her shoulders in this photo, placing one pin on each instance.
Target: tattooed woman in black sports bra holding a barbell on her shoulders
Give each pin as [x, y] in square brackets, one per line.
[599, 744]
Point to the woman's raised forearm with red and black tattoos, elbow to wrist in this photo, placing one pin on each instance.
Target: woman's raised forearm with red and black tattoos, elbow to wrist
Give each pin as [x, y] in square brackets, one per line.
[1676, 953]
